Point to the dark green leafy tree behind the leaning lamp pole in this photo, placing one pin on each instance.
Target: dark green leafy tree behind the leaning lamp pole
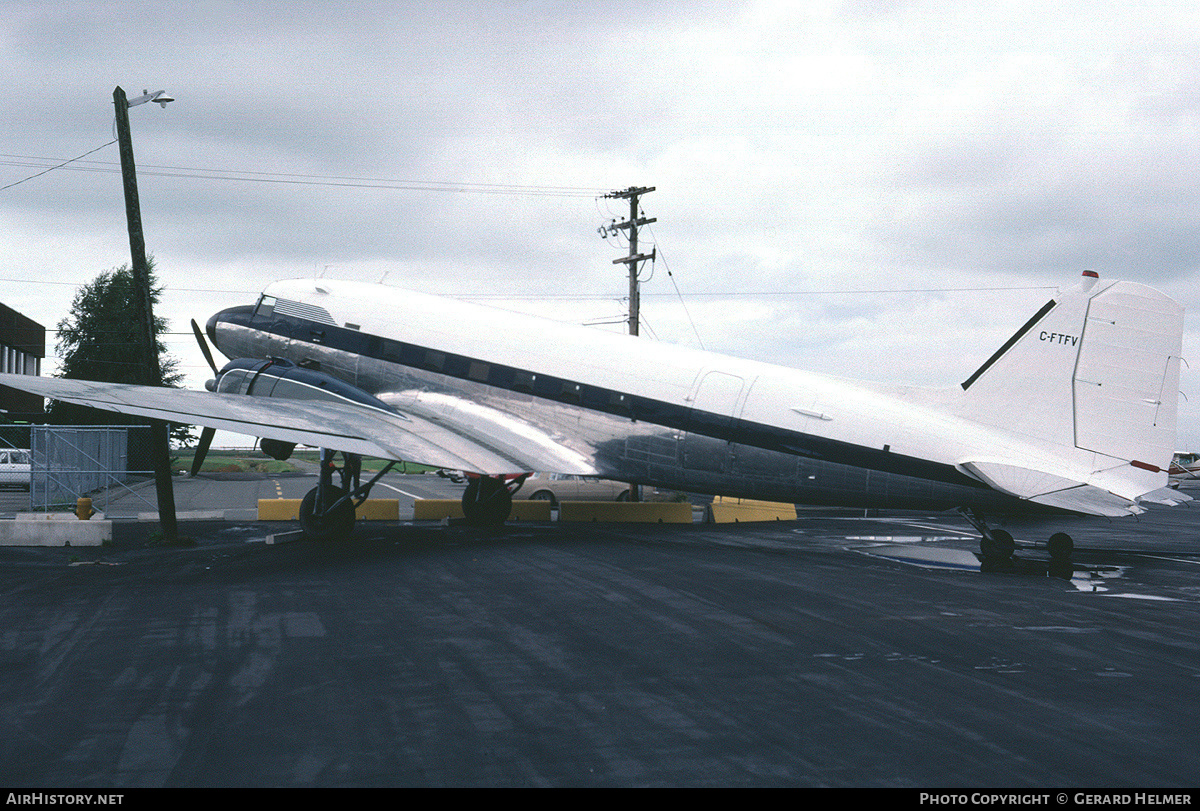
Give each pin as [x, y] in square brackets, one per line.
[100, 341]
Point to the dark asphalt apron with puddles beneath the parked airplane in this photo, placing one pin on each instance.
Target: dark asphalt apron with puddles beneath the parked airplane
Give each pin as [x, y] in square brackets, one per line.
[839, 650]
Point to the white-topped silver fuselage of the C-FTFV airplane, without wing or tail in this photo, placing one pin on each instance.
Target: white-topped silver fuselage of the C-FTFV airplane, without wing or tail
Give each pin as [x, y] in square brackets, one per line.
[628, 408]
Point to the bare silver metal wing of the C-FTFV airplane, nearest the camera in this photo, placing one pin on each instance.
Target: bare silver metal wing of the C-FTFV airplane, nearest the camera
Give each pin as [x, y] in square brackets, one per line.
[446, 435]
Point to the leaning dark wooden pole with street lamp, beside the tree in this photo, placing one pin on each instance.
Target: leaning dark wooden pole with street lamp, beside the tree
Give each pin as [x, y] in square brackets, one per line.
[143, 311]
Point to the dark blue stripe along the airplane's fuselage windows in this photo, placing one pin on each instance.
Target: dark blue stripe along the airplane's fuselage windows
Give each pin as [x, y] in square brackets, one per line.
[599, 399]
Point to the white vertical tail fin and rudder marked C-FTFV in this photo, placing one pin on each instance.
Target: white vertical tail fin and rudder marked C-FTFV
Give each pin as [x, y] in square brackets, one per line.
[1097, 369]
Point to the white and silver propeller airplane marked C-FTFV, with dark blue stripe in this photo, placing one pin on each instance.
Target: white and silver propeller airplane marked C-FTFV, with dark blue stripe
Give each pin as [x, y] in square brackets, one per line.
[1075, 413]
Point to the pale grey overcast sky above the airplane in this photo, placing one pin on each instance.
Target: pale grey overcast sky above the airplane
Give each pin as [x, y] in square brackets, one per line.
[880, 190]
